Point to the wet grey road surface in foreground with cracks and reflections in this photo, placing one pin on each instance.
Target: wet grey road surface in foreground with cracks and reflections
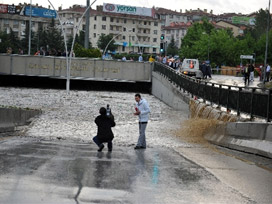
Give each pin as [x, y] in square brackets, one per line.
[36, 171]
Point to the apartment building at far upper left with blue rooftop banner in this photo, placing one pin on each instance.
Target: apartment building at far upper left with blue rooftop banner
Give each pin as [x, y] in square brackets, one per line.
[15, 18]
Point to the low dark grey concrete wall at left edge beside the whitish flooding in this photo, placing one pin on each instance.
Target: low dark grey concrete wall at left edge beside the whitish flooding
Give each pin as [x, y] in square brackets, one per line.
[12, 117]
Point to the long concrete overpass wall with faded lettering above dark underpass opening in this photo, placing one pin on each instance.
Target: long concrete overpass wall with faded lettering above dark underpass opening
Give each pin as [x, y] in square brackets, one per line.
[81, 68]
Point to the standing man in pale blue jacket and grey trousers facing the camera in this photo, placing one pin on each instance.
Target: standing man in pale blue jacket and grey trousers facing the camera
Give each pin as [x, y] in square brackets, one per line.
[142, 110]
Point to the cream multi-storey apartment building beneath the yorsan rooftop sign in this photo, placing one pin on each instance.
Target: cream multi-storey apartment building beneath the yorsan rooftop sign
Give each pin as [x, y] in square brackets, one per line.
[132, 32]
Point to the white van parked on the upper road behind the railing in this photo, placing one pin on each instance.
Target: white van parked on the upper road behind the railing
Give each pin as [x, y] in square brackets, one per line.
[190, 67]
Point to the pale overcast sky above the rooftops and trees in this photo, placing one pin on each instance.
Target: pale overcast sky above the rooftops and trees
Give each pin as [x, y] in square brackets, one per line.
[218, 6]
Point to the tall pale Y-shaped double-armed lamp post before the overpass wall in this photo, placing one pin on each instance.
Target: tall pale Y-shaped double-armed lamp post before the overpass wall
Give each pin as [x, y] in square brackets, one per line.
[69, 58]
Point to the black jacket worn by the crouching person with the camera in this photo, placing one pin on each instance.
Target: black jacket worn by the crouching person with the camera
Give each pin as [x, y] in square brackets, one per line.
[104, 124]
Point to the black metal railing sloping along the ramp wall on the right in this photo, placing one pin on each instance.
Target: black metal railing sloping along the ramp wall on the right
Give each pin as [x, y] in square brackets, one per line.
[253, 101]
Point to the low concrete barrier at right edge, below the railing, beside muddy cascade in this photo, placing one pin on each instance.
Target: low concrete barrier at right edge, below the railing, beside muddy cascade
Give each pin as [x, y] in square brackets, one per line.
[244, 136]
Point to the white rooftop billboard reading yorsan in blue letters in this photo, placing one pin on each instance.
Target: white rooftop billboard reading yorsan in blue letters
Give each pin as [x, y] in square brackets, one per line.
[122, 9]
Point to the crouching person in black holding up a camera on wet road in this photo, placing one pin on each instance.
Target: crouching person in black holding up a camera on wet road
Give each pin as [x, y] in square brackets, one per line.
[104, 133]
